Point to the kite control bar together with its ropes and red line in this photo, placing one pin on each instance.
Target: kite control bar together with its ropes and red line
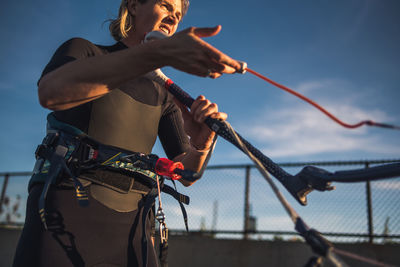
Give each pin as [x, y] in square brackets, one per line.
[308, 179]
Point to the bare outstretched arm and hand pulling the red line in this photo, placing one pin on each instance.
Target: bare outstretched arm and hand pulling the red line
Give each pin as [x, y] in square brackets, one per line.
[86, 79]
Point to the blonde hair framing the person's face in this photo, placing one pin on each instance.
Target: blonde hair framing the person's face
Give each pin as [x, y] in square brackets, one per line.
[120, 26]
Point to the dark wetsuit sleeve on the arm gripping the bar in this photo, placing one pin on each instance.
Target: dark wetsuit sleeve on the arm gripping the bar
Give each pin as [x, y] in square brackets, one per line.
[171, 132]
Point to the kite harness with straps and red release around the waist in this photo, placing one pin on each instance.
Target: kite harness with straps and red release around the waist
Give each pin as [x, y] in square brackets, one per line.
[67, 153]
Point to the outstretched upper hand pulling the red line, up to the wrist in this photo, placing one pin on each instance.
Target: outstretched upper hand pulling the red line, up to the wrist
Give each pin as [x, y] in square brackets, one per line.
[186, 51]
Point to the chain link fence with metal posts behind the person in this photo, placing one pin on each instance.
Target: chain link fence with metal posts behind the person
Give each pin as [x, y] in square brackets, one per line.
[235, 201]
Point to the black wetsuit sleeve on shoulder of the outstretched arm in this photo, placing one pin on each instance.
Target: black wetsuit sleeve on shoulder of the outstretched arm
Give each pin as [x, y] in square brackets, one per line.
[71, 50]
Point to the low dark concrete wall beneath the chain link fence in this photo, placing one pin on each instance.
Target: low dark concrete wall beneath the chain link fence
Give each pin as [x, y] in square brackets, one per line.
[205, 251]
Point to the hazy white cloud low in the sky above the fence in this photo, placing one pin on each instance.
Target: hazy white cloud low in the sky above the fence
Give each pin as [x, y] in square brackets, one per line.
[300, 129]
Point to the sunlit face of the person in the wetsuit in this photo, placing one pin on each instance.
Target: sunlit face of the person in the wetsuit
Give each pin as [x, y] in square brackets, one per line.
[155, 15]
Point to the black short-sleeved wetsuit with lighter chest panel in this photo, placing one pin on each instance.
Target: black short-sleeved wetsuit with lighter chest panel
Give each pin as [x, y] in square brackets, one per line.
[108, 232]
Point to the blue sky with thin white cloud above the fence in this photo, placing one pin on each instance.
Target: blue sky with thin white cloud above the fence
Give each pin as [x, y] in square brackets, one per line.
[344, 54]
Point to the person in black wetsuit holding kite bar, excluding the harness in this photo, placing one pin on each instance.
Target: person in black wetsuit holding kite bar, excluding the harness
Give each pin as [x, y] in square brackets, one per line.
[101, 91]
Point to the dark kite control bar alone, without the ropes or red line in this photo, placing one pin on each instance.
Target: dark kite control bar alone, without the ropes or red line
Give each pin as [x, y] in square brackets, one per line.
[298, 185]
